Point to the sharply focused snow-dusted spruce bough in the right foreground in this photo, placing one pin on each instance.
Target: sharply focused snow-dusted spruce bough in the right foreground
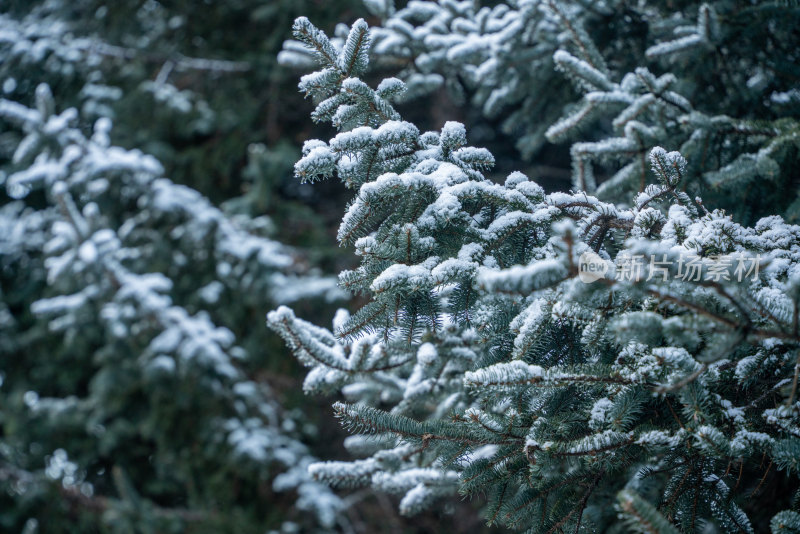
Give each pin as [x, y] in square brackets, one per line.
[483, 364]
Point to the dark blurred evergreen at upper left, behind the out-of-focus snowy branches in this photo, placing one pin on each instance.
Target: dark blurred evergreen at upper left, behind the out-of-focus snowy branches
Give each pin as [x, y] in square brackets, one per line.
[193, 87]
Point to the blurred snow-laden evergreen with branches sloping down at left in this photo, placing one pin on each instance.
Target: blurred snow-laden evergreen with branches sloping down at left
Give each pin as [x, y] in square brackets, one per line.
[122, 380]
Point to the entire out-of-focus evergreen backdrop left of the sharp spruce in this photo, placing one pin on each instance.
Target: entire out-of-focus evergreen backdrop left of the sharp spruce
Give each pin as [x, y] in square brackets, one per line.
[134, 394]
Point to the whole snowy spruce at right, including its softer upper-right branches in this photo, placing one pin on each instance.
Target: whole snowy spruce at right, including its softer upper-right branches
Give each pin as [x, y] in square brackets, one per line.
[586, 364]
